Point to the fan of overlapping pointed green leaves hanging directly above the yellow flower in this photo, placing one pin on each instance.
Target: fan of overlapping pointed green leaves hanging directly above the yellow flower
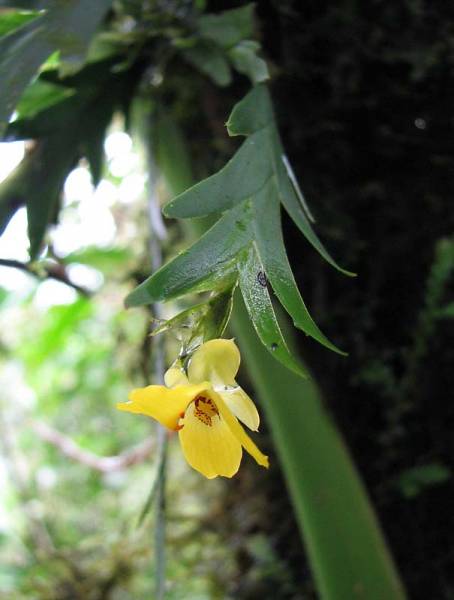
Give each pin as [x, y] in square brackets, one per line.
[247, 240]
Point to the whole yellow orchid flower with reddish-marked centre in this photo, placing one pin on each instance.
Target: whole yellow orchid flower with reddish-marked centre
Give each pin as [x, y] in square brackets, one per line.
[204, 407]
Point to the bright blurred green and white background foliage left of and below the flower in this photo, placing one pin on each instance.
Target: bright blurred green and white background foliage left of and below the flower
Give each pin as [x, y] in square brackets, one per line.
[70, 504]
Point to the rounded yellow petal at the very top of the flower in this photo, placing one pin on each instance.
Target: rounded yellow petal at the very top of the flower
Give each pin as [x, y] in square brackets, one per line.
[217, 361]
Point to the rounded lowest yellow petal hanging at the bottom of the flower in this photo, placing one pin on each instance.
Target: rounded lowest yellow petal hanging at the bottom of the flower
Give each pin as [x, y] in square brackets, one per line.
[211, 449]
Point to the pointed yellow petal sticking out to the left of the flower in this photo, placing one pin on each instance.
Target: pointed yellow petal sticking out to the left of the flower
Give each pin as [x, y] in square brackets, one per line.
[161, 403]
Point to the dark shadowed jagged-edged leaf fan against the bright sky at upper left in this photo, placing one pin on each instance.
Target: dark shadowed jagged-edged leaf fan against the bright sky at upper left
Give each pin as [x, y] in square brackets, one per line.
[63, 132]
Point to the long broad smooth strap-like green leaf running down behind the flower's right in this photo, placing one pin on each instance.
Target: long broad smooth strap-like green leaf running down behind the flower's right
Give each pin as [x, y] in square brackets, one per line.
[348, 554]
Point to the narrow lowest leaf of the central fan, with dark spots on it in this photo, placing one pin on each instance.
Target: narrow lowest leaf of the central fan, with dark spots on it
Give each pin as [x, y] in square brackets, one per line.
[259, 306]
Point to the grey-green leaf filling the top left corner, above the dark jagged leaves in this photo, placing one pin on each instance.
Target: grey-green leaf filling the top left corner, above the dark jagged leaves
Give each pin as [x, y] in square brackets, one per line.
[66, 26]
